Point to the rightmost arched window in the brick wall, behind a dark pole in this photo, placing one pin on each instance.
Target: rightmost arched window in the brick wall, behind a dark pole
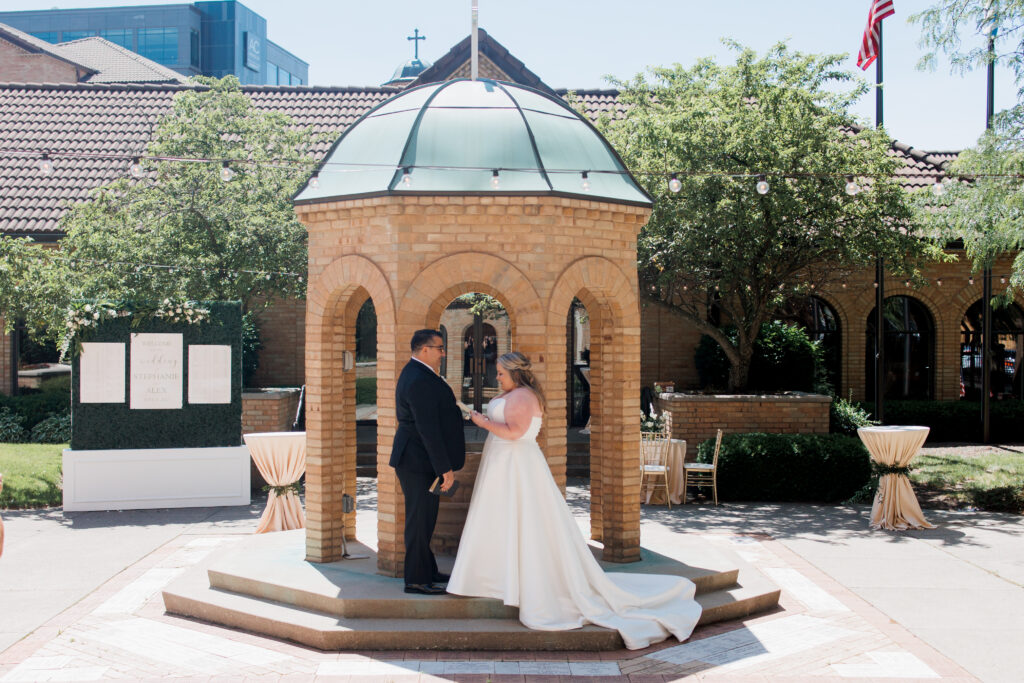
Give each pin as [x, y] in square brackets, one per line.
[1006, 380]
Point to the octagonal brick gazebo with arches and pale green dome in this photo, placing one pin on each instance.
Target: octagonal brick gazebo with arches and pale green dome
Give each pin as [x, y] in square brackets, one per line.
[472, 186]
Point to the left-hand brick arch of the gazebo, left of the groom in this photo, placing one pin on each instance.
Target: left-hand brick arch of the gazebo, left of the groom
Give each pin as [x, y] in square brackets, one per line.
[334, 300]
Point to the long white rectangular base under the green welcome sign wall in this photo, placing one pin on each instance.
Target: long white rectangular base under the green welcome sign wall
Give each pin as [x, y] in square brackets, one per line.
[144, 479]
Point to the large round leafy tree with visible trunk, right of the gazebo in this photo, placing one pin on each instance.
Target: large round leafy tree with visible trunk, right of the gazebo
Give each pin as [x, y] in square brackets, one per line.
[720, 246]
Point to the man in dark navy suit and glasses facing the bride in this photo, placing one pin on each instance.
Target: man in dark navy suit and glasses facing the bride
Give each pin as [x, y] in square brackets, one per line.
[429, 444]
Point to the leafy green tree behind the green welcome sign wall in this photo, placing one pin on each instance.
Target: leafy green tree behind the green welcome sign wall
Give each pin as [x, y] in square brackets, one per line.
[180, 232]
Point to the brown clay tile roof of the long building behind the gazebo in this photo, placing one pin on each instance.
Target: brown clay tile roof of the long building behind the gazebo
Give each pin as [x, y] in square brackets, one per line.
[118, 119]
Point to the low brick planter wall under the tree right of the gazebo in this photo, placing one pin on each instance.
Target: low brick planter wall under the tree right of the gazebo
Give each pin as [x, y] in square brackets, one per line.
[698, 417]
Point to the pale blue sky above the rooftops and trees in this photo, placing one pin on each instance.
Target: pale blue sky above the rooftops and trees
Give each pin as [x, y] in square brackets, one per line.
[576, 45]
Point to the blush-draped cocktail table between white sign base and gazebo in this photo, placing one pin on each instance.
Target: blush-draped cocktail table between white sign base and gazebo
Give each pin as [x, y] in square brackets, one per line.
[281, 458]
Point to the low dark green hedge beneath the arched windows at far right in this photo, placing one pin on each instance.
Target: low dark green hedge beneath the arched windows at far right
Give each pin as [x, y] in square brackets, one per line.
[957, 420]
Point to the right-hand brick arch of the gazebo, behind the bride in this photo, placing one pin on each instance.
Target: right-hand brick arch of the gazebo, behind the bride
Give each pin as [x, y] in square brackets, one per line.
[612, 301]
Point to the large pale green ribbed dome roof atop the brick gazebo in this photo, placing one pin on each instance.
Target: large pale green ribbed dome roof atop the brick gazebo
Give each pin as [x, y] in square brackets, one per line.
[452, 137]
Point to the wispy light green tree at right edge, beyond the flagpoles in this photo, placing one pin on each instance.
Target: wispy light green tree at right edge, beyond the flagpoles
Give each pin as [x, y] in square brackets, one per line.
[985, 207]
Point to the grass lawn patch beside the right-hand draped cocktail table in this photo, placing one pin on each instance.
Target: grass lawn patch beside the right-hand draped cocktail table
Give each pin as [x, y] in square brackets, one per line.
[984, 478]
